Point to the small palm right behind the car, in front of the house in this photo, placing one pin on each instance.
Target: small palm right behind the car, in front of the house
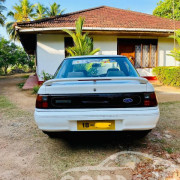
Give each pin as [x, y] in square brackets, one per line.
[83, 44]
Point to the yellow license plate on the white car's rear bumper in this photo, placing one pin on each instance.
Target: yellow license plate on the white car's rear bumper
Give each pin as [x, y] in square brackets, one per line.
[96, 125]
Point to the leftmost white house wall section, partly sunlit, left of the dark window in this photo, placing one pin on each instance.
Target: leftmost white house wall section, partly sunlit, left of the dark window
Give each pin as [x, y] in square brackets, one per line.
[50, 53]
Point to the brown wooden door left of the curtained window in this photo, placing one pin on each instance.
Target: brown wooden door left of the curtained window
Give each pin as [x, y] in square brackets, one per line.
[127, 50]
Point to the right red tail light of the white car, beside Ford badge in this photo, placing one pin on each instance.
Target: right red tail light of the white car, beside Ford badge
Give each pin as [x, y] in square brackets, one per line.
[150, 99]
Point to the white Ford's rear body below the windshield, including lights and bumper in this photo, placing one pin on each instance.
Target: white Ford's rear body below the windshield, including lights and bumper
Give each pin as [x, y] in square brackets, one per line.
[96, 104]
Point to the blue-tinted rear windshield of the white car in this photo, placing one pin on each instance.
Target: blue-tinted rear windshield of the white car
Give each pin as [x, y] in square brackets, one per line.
[96, 67]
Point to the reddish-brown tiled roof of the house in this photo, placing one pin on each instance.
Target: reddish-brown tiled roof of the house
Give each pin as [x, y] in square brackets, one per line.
[106, 17]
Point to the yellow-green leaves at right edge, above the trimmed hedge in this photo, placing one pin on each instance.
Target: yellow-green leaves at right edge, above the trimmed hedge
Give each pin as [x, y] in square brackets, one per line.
[176, 51]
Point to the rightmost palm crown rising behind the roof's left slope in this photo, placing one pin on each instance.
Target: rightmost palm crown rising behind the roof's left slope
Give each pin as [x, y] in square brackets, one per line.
[54, 10]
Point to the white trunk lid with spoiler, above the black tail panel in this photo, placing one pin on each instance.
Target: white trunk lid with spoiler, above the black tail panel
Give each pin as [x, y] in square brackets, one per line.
[99, 85]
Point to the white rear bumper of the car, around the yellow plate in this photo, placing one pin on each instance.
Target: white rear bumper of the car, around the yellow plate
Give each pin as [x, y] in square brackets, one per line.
[125, 119]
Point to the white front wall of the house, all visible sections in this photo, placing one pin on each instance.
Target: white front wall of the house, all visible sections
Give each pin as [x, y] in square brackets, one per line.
[50, 51]
